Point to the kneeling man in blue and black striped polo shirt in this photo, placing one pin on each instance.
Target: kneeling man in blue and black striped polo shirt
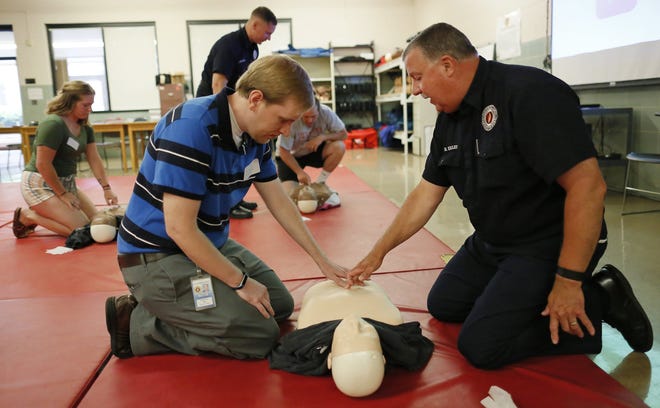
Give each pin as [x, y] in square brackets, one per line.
[193, 289]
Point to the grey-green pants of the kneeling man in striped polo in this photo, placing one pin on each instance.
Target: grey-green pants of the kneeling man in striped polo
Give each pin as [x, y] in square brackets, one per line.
[165, 319]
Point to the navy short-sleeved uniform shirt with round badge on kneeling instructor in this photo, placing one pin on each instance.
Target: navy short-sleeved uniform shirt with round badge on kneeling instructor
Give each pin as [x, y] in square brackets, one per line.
[517, 129]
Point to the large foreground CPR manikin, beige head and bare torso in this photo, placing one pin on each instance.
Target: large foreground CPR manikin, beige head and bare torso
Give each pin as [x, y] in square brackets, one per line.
[356, 359]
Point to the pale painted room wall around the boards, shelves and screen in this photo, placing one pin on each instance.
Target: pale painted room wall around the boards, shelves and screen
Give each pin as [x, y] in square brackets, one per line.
[387, 22]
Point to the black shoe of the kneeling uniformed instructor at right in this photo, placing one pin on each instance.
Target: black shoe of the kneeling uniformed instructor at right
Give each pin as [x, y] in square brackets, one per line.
[625, 313]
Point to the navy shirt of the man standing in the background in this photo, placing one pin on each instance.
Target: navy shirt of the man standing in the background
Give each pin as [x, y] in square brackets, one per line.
[230, 56]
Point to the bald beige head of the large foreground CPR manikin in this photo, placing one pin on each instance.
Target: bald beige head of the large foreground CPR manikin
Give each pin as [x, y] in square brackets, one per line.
[356, 359]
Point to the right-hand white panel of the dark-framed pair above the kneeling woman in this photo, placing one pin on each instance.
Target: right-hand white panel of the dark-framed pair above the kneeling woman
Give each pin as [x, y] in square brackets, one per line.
[132, 65]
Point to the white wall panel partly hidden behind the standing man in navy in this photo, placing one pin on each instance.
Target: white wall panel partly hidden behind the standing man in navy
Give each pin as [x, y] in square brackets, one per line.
[203, 34]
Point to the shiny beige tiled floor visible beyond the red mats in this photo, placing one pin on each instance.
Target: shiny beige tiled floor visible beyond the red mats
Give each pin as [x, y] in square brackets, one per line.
[634, 242]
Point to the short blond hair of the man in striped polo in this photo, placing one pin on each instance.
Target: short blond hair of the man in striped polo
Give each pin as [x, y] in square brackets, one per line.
[279, 78]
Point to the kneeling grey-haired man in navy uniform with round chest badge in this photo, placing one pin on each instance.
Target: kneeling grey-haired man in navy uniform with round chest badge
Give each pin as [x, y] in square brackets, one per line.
[512, 142]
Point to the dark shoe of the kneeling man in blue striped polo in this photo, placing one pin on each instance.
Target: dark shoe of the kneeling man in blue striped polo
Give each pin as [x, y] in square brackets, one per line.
[118, 321]
